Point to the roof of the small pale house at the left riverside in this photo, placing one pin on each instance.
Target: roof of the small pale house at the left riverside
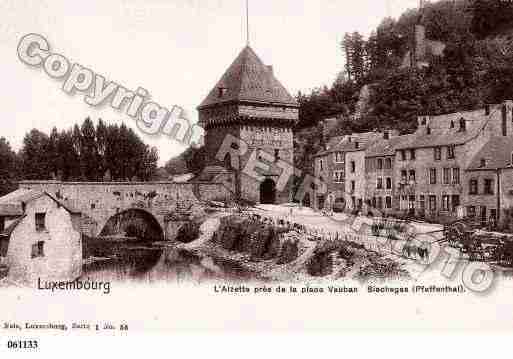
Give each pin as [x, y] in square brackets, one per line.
[12, 203]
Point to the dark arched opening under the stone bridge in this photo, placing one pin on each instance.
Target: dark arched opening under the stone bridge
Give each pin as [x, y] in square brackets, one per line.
[134, 222]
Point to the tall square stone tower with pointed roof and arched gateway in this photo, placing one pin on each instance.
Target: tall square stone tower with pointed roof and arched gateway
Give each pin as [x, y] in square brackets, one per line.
[251, 105]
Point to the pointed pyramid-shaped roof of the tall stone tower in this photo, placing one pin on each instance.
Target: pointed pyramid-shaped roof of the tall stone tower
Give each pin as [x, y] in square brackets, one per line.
[248, 80]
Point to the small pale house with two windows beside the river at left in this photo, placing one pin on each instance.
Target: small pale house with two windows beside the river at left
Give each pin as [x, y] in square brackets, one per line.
[39, 238]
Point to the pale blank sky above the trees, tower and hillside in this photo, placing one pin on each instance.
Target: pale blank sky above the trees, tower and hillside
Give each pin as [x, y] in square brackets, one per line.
[175, 49]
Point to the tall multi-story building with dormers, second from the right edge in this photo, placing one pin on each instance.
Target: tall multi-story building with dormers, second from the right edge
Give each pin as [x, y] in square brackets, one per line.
[431, 164]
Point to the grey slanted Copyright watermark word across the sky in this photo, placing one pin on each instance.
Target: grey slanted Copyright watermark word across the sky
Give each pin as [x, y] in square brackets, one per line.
[150, 117]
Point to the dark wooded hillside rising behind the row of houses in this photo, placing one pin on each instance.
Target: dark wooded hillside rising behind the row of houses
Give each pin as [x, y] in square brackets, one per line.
[476, 67]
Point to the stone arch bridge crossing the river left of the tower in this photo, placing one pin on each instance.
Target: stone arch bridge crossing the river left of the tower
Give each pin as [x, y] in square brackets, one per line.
[104, 205]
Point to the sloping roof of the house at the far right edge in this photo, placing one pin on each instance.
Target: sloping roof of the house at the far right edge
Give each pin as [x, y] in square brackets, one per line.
[496, 152]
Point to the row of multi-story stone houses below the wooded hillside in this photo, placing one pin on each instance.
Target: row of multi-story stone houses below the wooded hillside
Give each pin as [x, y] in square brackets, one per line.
[453, 165]
